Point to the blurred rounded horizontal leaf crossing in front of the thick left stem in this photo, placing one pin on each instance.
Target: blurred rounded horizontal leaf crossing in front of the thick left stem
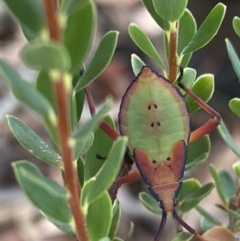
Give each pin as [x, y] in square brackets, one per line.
[46, 56]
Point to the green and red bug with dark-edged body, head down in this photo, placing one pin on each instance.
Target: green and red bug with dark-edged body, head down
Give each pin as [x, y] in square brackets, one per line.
[154, 116]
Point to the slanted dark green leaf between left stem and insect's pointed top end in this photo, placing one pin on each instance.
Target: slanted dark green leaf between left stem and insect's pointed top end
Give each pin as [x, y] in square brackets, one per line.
[100, 61]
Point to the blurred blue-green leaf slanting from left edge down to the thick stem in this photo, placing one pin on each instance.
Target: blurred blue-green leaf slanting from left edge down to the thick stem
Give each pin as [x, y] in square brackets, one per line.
[25, 92]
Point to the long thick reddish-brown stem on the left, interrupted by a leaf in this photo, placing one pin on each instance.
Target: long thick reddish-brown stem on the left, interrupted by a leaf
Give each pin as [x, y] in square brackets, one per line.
[62, 93]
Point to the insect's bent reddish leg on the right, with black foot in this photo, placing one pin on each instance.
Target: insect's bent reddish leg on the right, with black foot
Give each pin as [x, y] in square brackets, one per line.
[210, 124]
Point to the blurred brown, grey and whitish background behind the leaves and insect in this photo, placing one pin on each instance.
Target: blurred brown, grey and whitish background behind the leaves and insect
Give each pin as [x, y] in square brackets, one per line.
[19, 220]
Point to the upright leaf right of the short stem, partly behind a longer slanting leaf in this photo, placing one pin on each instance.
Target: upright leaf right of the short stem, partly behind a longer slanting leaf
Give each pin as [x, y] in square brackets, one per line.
[187, 29]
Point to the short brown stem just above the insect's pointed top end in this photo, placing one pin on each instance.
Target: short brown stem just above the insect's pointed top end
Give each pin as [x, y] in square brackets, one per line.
[173, 42]
